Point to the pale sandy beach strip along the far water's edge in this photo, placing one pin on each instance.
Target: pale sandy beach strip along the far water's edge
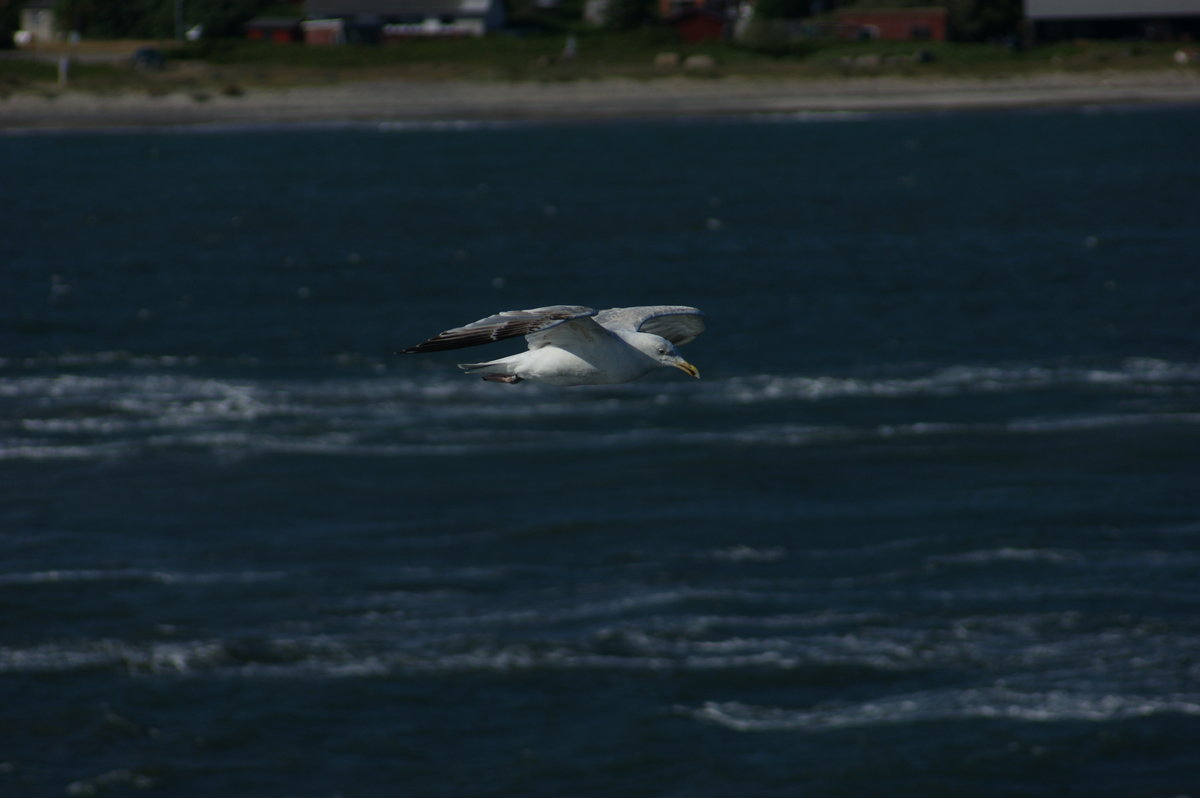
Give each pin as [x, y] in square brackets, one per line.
[400, 101]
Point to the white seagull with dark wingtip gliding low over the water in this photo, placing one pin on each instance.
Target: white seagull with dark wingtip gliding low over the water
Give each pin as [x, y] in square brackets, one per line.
[572, 345]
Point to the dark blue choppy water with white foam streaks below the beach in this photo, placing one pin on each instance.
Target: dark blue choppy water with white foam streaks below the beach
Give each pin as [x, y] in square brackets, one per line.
[928, 526]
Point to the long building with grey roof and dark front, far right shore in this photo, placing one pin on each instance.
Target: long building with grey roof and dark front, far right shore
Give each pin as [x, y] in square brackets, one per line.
[1144, 20]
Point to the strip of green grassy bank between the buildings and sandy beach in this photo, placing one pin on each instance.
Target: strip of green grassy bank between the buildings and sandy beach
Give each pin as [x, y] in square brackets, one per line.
[233, 67]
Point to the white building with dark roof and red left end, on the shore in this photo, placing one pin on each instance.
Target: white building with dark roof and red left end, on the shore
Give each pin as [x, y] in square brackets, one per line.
[370, 21]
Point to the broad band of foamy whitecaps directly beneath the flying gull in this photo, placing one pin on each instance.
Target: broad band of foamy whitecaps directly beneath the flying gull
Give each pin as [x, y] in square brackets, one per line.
[160, 404]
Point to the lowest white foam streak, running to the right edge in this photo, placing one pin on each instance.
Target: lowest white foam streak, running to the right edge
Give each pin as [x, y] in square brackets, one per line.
[950, 705]
